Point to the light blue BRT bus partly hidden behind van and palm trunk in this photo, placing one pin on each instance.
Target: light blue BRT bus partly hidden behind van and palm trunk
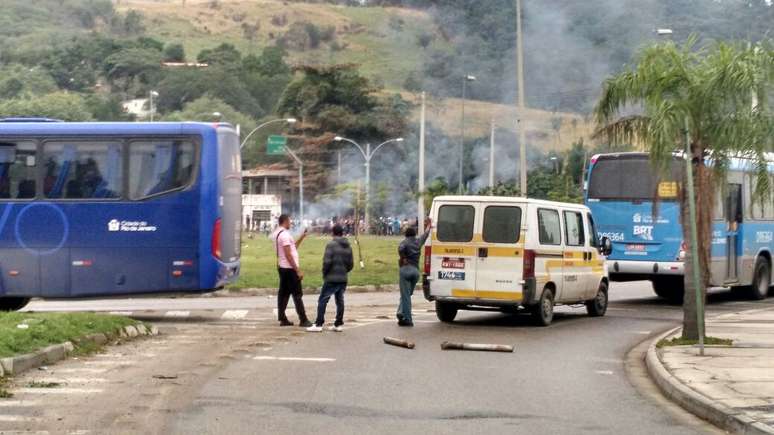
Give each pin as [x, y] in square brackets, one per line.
[620, 191]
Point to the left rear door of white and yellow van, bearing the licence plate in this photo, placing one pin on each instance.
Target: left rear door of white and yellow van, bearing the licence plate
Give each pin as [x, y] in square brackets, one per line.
[453, 259]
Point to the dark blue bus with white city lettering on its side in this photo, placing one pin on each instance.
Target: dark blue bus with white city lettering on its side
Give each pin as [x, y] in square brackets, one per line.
[98, 209]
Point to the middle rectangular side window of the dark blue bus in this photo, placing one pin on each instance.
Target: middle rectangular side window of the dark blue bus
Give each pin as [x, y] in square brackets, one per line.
[82, 170]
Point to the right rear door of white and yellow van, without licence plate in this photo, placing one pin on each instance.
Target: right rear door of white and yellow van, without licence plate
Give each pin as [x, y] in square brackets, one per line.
[500, 258]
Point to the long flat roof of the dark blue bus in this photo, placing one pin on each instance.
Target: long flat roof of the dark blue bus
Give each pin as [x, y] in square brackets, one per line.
[25, 128]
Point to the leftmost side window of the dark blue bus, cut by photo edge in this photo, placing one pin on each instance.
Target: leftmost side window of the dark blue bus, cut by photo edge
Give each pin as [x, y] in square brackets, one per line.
[17, 170]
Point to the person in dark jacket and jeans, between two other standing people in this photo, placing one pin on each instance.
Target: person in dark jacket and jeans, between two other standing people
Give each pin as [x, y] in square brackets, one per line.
[337, 263]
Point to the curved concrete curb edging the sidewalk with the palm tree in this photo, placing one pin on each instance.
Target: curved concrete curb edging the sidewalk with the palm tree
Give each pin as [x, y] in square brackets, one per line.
[694, 402]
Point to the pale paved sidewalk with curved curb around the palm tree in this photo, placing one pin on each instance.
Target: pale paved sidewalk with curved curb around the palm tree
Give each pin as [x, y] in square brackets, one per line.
[732, 387]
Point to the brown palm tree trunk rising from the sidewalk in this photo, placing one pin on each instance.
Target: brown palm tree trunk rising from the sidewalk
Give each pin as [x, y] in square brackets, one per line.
[705, 198]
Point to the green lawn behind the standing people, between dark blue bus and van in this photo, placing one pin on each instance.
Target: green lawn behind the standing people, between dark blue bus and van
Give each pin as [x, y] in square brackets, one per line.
[259, 264]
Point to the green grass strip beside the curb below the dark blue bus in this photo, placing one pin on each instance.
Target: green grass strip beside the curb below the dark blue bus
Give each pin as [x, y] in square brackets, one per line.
[45, 329]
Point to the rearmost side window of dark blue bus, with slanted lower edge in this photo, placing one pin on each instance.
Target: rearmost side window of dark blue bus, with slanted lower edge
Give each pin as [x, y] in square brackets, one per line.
[159, 166]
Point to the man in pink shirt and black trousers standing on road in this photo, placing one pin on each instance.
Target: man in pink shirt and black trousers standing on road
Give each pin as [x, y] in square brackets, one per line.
[290, 273]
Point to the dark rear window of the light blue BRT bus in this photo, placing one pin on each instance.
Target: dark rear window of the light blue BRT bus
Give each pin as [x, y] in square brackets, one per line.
[632, 177]
